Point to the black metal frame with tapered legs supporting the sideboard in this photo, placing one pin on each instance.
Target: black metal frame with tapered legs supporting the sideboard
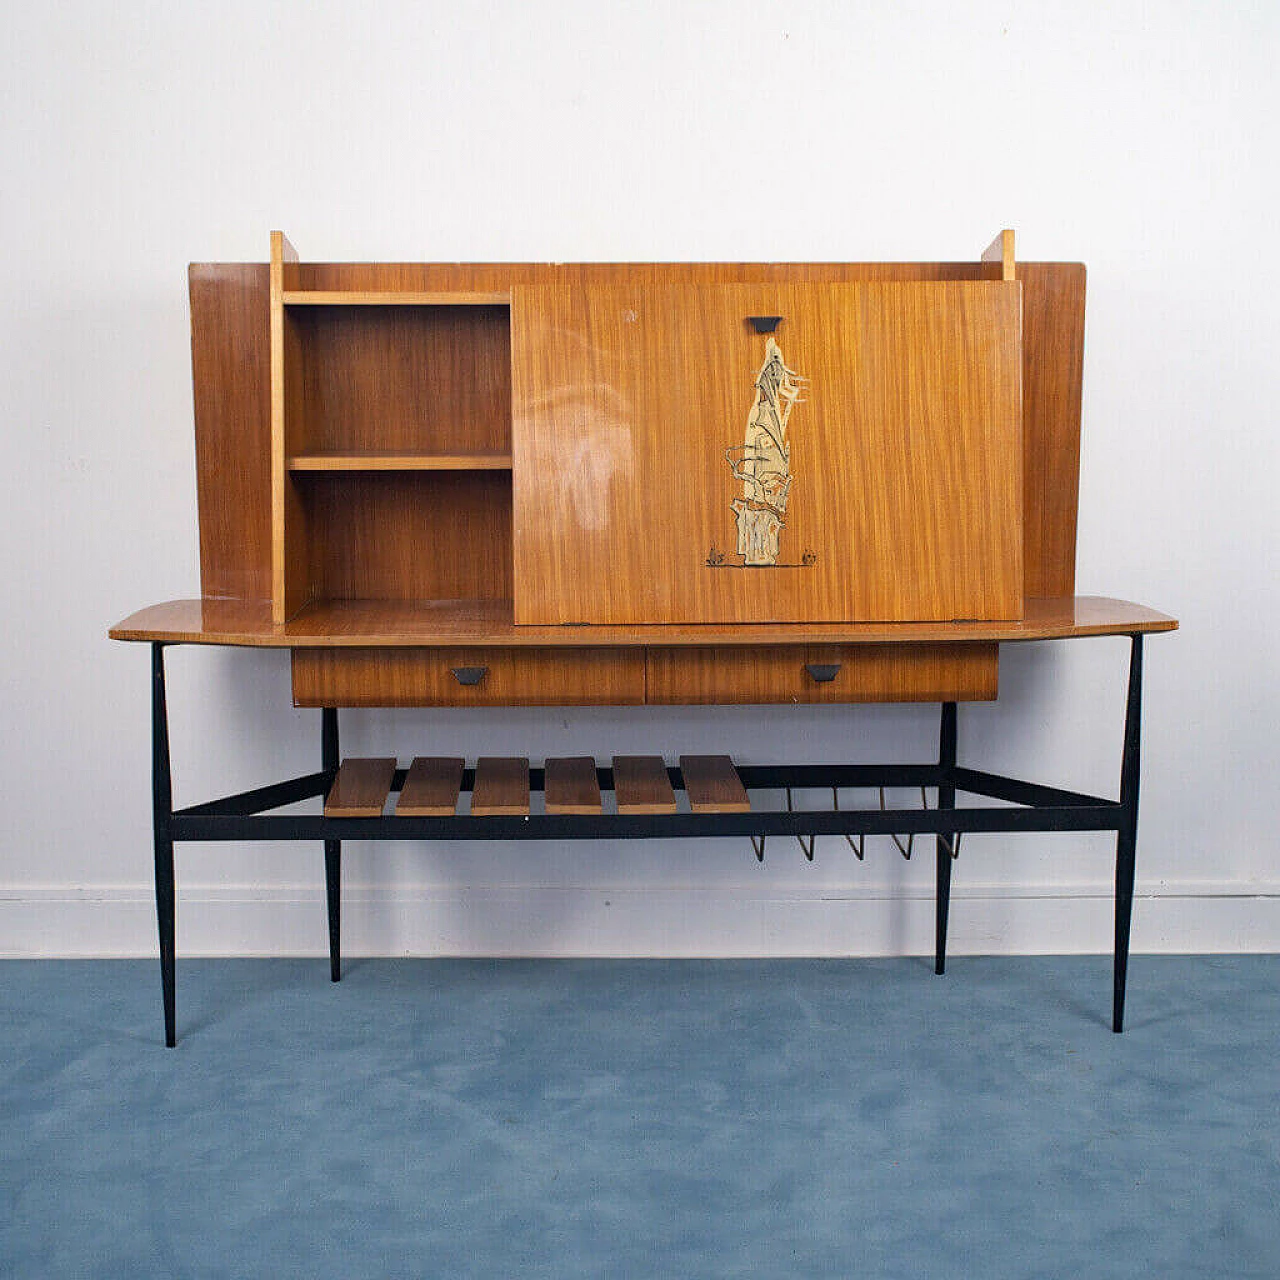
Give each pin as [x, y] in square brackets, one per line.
[246, 816]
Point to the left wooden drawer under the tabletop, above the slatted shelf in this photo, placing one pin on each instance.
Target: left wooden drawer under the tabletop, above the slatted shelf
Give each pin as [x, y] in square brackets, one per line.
[468, 678]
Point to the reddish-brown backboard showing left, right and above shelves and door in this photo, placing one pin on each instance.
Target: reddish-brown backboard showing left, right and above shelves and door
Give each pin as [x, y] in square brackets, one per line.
[231, 364]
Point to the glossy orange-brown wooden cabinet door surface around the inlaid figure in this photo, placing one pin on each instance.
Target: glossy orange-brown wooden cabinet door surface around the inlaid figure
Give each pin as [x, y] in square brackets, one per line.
[906, 454]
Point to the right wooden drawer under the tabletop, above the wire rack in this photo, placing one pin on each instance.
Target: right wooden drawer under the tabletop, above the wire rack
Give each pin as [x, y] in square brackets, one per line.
[825, 674]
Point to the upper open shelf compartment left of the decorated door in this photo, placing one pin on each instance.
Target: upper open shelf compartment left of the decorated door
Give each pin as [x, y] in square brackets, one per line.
[417, 380]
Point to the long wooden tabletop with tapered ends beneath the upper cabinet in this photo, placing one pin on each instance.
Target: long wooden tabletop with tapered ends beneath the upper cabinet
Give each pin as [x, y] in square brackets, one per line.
[488, 624]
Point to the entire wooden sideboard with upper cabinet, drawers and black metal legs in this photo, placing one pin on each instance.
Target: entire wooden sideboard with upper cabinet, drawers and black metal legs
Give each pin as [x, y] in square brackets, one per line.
[499, 486]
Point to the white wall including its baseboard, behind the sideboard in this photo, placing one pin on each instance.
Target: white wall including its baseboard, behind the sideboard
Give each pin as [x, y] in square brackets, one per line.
[1139, 139]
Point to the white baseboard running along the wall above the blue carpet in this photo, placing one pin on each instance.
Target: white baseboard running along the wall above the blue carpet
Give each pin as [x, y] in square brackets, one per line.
[636, 922]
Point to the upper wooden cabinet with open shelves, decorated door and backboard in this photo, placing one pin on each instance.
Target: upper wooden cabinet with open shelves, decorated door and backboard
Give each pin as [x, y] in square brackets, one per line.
[632, 445]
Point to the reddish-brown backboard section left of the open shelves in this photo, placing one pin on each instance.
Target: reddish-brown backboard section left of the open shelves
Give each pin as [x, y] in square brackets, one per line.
[232, 392]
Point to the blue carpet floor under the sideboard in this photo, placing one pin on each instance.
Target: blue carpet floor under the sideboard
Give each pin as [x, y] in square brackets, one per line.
[632, 1119]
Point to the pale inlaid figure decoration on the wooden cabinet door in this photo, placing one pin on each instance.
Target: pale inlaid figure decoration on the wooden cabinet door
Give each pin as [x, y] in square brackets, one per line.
[762, 465]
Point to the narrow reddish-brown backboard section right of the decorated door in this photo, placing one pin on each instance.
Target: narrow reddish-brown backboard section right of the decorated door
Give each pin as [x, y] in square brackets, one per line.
[1053, 373]
